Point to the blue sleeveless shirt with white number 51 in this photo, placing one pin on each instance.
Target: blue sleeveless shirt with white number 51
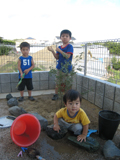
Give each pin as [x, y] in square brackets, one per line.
[25, 64]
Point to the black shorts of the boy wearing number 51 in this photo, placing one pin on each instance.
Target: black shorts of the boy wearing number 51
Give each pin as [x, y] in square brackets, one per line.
[27, 83]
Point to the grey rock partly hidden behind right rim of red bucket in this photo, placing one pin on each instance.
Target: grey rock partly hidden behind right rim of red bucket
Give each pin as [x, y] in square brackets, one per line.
[42, 120]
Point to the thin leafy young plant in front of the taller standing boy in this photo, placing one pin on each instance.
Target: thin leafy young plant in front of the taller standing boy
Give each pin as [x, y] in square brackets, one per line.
[64, 78]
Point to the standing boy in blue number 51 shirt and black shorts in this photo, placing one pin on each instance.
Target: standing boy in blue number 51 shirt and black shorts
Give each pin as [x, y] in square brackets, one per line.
[25, 65]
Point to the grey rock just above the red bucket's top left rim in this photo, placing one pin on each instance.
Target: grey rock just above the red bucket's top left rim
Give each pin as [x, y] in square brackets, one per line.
[16, 111]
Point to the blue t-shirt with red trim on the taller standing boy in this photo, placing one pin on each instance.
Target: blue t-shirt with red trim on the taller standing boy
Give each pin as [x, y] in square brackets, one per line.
[67, 49]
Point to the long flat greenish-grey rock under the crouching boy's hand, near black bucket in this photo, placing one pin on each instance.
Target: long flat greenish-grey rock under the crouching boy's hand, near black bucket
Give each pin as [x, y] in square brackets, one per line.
[90, 145]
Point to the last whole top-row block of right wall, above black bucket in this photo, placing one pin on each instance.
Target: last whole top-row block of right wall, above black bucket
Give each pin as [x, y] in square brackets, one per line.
[109, 91]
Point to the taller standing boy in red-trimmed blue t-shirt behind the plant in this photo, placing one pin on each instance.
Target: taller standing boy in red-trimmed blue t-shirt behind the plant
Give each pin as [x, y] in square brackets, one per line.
[64, 53]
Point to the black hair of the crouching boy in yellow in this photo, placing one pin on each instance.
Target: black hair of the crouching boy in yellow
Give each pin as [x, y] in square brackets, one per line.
[71, 95]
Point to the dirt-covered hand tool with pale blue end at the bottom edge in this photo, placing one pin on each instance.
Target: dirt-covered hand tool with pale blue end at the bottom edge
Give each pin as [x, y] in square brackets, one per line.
[34, 153]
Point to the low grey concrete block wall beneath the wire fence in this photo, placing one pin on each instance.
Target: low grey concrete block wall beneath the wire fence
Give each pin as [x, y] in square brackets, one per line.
[103, 94]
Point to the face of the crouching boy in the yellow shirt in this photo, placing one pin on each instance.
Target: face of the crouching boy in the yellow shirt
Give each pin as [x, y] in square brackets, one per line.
[73, 106]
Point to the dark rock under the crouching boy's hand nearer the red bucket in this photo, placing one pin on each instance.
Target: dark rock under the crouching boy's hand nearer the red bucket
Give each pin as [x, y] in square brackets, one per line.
[54, 134]
